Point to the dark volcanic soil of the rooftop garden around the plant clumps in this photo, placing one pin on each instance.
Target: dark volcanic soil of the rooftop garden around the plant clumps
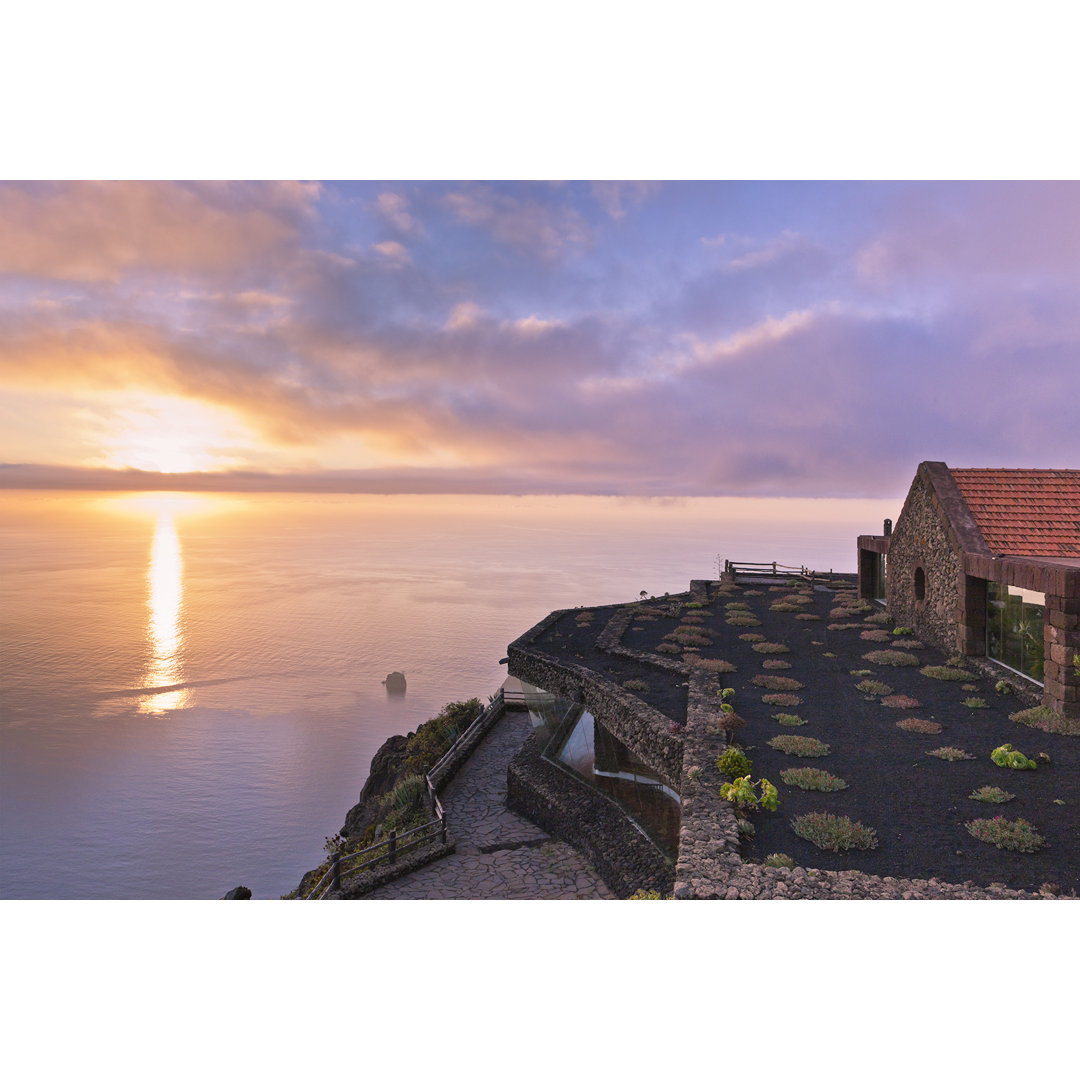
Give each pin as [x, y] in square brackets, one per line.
[917, 804]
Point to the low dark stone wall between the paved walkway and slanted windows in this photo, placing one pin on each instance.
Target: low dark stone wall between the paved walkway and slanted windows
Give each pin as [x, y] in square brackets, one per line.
[585, 818]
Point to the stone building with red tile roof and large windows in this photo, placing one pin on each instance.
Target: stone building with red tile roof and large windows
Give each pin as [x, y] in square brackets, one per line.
[987, 563]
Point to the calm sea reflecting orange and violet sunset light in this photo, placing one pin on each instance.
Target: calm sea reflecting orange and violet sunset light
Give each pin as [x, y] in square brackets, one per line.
[192, 686]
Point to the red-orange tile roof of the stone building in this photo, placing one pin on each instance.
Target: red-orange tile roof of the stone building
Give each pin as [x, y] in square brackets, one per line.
[1025, 511]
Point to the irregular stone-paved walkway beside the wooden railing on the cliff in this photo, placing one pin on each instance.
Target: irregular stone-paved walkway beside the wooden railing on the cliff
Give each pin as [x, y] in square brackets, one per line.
[499, 856]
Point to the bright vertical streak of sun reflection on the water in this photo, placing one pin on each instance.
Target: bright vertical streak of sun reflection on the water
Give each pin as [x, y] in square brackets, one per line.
[166, 609]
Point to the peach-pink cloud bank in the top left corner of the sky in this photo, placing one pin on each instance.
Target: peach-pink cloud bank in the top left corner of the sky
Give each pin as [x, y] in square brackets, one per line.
[96, 232]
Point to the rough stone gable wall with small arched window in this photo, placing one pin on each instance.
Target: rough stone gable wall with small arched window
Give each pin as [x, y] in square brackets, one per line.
[922, 541]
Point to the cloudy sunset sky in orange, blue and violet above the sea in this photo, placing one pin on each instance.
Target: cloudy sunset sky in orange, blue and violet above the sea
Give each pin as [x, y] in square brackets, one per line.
[690, 339]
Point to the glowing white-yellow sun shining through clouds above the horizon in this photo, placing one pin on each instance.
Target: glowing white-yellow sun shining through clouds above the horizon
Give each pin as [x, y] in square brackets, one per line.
[172, 436]
